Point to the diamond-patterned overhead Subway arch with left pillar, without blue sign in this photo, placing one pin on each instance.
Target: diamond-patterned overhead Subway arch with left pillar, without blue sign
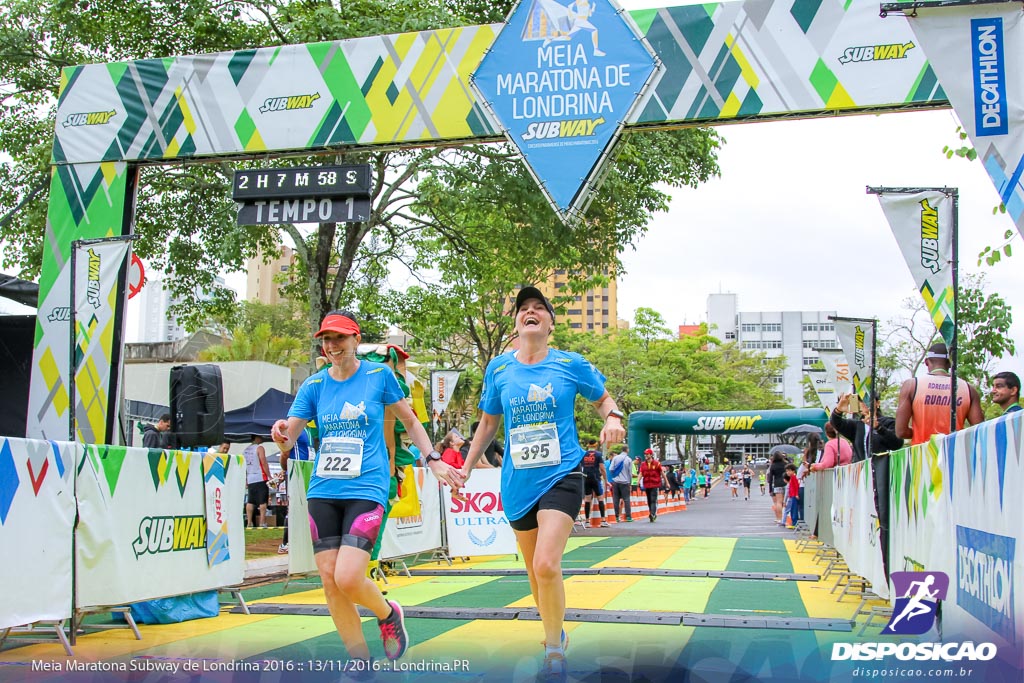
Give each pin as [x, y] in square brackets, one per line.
[722, 63]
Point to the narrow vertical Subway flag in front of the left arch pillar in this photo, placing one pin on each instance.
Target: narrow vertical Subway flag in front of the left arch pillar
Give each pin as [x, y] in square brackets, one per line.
[98, 270]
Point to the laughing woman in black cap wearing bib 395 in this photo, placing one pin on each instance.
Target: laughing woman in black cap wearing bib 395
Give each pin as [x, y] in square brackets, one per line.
[535, 391]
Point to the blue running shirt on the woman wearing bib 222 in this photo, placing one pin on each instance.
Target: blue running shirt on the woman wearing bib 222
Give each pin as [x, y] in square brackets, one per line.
[354, 408]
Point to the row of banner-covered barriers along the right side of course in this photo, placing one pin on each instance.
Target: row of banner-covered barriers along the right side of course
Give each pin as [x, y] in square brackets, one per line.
[956, 506]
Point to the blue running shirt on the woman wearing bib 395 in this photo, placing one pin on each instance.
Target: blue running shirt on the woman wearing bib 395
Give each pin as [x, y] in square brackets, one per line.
[535, 395]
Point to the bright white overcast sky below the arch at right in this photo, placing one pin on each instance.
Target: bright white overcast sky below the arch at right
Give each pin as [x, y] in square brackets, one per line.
[789, 225]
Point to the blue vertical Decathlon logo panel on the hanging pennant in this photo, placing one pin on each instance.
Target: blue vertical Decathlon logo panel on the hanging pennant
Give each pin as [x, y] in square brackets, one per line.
[989, 67]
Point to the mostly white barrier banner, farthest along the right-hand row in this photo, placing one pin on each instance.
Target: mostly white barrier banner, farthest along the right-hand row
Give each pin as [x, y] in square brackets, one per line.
[856, 525]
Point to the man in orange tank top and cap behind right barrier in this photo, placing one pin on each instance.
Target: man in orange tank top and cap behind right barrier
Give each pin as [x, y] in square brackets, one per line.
[924, 403]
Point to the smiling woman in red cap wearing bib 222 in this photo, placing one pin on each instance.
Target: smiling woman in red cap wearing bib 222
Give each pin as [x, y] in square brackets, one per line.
[352, 401]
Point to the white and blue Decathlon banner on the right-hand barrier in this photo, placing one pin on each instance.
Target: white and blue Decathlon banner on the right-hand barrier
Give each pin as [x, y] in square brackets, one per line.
[985, 537]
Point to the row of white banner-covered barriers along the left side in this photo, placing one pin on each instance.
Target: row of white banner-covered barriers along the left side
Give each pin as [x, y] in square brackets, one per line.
[151, 525]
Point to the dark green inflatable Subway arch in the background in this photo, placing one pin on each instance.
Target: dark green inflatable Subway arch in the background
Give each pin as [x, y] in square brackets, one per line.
[645, 423]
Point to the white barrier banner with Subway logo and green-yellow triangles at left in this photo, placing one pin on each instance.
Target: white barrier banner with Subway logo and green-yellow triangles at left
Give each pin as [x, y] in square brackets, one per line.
[142, 532]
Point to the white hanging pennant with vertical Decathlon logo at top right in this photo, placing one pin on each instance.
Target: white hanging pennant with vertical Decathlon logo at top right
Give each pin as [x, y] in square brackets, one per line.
[975, 52]
